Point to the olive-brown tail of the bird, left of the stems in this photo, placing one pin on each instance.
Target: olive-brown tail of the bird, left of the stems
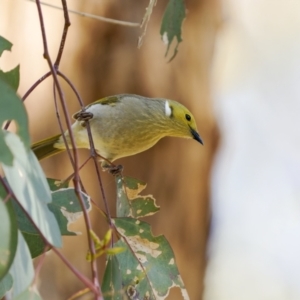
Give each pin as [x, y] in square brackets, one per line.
[45, 148]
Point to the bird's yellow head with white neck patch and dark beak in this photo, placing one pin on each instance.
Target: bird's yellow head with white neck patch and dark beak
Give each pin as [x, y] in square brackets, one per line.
[182, 121]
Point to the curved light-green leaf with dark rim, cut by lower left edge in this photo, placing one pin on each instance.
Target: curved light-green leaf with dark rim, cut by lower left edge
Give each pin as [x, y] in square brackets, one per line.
[8, 236]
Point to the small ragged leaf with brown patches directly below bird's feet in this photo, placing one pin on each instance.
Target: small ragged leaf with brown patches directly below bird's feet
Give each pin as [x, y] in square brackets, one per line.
[129, 202]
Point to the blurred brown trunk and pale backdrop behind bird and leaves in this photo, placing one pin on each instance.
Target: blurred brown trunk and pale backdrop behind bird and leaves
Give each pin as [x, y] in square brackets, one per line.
[230, 209]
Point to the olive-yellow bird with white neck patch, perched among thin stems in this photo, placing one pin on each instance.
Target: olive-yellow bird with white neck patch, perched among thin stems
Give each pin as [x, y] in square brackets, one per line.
[123, 125]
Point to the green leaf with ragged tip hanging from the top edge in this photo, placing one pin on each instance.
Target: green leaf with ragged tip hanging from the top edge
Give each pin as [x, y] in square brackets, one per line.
[171, 24]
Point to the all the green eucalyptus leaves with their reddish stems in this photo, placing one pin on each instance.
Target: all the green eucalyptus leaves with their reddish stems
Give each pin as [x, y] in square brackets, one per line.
[35, 211]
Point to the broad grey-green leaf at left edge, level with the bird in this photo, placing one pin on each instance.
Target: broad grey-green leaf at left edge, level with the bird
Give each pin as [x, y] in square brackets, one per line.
[12, 108]
